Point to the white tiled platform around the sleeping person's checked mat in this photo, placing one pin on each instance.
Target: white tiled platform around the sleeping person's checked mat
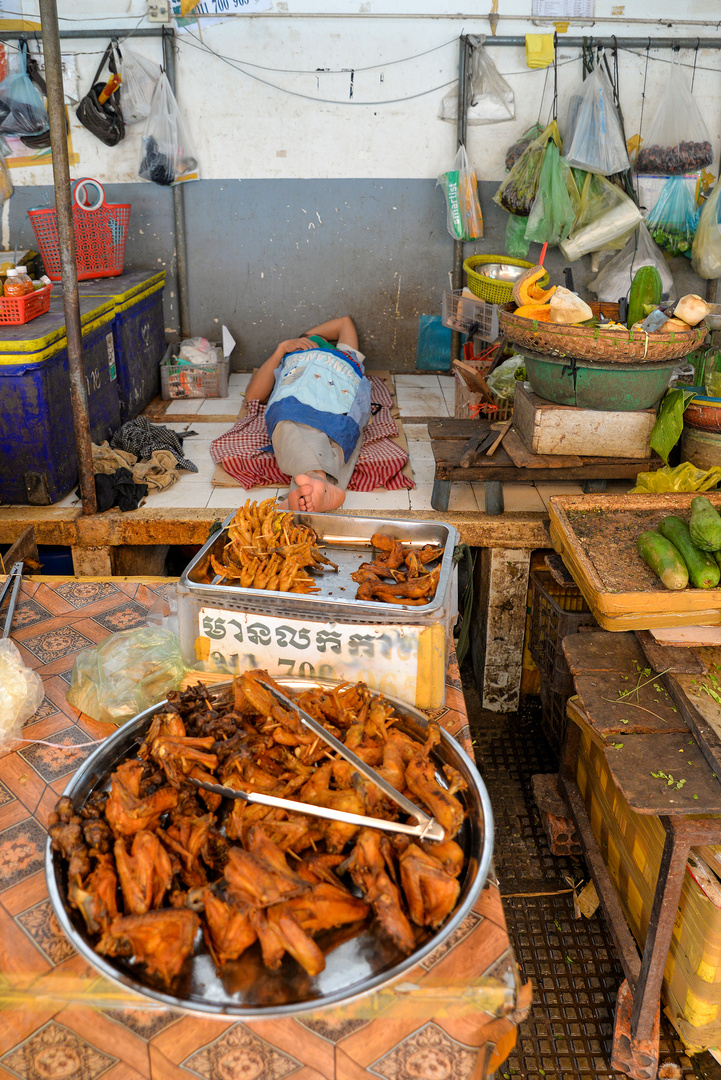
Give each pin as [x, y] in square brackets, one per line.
[419, 397]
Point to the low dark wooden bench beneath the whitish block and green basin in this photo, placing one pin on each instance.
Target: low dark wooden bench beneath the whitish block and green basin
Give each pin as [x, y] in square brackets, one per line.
[451, 439]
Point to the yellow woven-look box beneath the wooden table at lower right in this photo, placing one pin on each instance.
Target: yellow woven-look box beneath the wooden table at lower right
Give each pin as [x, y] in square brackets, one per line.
[632, 846]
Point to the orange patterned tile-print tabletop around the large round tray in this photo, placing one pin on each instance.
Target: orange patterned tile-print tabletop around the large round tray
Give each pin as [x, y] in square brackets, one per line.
[62, 1021]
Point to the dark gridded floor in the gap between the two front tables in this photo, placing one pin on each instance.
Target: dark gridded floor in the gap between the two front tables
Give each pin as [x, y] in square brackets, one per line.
[572, 963]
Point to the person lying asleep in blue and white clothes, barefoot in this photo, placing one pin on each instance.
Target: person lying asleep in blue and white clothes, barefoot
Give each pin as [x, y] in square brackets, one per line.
[318, 404]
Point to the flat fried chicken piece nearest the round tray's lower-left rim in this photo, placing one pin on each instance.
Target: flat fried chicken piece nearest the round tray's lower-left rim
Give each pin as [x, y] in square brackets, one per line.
[160, 940]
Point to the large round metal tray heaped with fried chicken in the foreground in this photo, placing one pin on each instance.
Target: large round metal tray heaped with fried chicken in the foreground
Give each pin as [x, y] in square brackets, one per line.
[221, 906]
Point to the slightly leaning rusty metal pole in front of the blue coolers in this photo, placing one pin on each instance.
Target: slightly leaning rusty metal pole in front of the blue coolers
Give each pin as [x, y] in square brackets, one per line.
[51, 45]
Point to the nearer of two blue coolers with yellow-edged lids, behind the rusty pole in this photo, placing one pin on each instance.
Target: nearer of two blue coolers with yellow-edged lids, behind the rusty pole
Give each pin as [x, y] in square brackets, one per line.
[38, 463]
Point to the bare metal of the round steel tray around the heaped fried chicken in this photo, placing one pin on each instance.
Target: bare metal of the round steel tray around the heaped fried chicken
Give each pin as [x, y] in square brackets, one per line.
[246, 989]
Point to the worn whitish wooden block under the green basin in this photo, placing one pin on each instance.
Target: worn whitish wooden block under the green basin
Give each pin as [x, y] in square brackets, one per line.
[548, 428]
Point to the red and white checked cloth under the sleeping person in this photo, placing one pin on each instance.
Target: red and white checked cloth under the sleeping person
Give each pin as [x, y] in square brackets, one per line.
[246, 455]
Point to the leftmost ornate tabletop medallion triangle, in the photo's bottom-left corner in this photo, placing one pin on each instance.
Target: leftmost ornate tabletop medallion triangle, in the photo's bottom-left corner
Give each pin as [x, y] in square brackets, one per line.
[57, 1054]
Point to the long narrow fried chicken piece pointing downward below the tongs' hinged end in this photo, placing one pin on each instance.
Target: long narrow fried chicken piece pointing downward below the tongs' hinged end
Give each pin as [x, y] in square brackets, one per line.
[369, 865]
